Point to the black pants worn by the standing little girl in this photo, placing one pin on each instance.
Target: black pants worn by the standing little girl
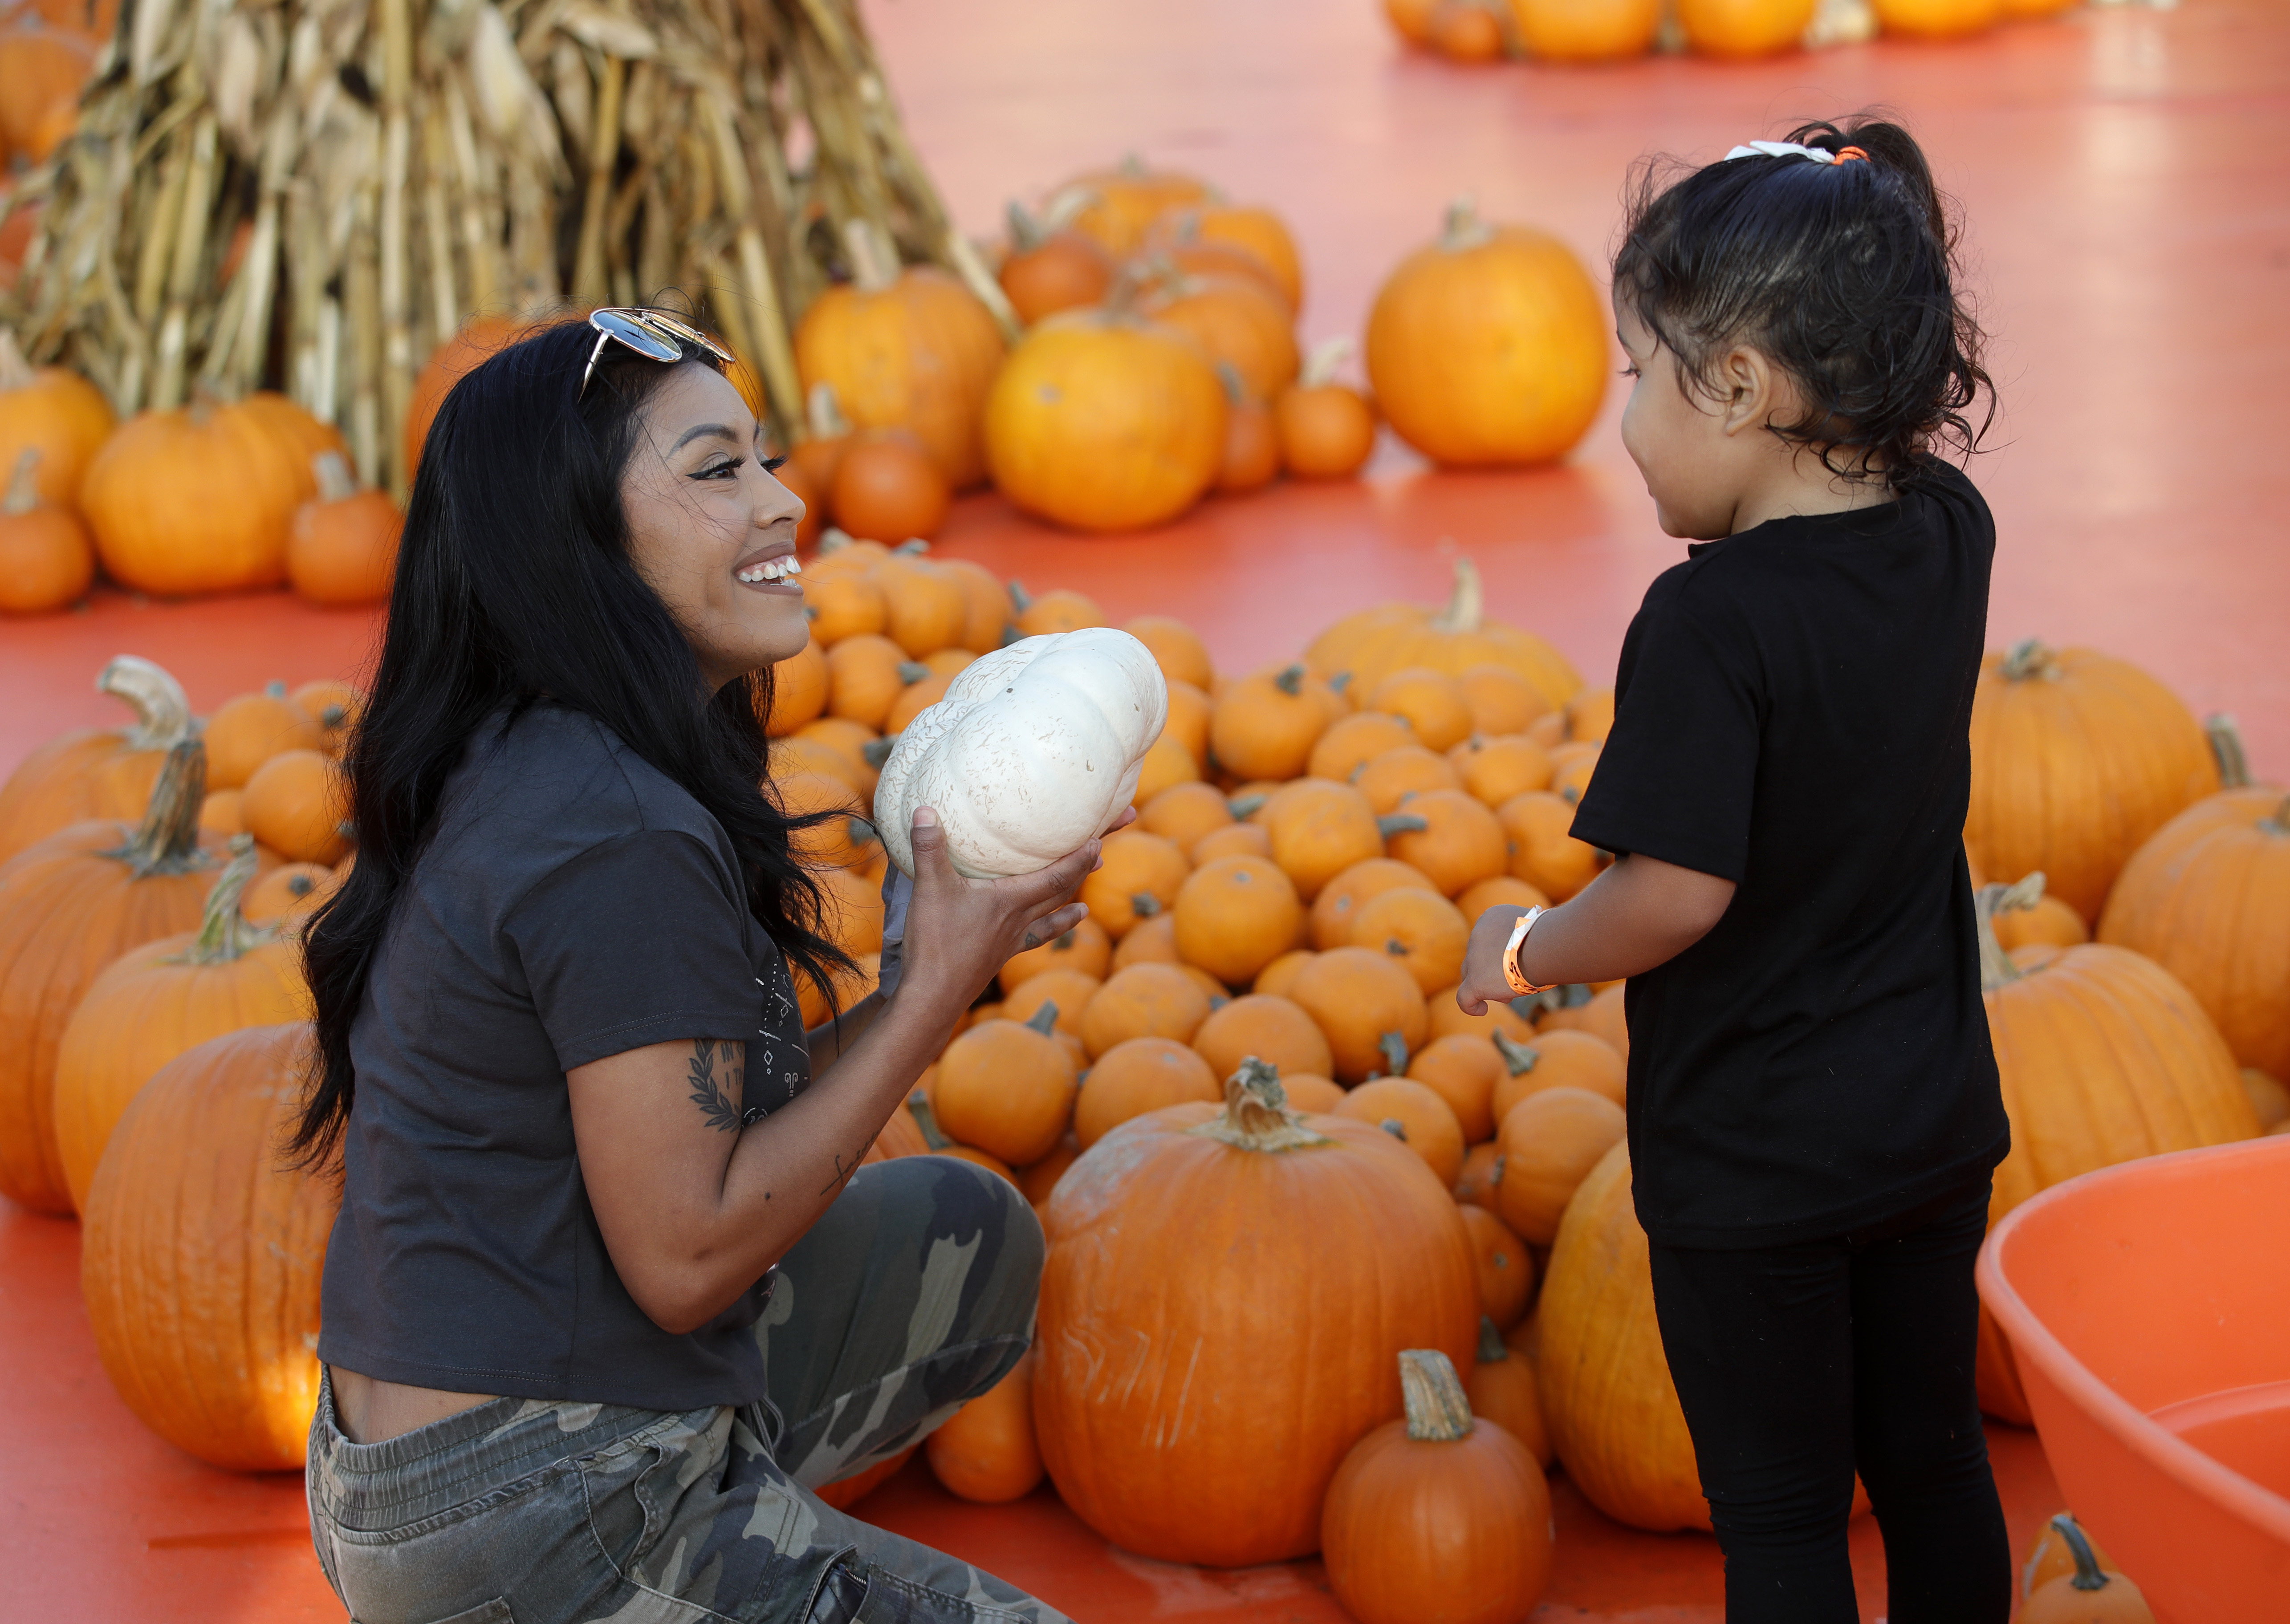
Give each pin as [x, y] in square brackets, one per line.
[1810, 1362]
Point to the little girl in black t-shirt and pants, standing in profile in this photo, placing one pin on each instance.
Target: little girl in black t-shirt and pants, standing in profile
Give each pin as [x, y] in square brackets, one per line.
[1815, 1105]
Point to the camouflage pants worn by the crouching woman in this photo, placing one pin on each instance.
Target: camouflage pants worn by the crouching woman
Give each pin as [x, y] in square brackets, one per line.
[910, 1295]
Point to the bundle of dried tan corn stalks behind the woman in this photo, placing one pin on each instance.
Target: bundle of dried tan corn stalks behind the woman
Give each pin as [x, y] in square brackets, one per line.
[313, 194]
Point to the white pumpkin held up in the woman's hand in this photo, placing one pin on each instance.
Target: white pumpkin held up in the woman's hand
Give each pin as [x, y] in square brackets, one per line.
[1034, 750]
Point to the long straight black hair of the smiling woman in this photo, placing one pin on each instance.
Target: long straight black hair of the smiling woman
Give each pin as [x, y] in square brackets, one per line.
[514, 581]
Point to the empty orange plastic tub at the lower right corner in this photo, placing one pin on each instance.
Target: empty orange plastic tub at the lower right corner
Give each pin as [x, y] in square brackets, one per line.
[2149, 1309]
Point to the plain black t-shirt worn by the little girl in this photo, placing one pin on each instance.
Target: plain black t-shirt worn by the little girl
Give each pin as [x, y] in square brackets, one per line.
[1792, 714]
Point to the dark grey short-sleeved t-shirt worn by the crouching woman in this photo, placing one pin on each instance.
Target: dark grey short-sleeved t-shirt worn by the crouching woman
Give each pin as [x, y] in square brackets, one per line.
[571, 904]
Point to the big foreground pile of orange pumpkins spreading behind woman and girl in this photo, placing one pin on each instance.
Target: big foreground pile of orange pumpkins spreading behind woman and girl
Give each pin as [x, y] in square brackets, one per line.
[1268, 968]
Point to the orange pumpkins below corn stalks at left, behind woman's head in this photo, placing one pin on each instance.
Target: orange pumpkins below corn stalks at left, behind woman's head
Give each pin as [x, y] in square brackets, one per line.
[196, 500]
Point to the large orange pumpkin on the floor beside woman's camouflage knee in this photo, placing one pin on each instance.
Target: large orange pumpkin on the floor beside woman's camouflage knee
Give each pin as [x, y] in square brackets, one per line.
[1199, 1424]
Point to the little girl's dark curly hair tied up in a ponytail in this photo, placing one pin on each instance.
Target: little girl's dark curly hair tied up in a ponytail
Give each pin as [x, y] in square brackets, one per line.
[1845, 276]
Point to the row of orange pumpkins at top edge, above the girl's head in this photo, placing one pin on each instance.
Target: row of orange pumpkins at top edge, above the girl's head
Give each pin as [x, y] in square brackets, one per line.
[1735, 31]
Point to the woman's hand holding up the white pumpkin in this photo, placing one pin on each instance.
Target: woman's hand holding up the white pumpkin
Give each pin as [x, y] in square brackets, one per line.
[963, 931]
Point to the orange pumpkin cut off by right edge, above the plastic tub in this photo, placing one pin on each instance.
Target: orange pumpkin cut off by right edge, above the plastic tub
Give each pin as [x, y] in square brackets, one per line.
[2209, 899]
